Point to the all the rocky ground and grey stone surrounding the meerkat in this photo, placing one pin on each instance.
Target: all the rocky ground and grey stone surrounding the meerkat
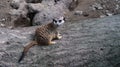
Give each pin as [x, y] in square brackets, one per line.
[90, 35]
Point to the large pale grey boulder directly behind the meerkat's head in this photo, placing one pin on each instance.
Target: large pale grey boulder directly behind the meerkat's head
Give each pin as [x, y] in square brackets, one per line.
[47, 14]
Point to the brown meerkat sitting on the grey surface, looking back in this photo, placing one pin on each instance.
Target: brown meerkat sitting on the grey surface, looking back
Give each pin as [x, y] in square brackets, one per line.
[44, 35]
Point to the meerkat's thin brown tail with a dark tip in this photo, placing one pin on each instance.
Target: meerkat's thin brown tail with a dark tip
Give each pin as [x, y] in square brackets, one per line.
[26, 48]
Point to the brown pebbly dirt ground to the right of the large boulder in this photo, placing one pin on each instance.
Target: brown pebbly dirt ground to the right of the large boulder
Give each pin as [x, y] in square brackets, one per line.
[88, 7]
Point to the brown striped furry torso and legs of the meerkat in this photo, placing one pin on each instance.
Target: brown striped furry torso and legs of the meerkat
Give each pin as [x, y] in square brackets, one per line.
[45, 34]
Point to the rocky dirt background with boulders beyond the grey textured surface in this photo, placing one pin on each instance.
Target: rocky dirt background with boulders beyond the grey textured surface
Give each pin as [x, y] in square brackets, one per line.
[21, 13]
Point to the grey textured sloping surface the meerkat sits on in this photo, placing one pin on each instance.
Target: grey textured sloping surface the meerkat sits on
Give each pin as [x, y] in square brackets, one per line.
[89, 43]
